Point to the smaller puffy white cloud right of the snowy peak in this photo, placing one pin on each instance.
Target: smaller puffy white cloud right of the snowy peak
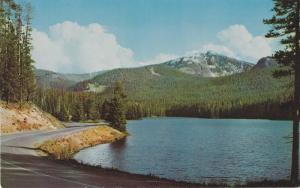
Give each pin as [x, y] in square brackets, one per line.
[237, 41]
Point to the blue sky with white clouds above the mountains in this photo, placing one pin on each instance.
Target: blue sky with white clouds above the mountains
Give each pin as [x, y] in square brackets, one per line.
[89, 35]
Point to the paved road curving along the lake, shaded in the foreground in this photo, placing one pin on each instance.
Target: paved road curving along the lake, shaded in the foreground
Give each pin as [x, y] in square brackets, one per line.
[22, 168]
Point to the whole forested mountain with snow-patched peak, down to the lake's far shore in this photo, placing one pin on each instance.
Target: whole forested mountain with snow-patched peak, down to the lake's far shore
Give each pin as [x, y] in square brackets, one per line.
[165, 89]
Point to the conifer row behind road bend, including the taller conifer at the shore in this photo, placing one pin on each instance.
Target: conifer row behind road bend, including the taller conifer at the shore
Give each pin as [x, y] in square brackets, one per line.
[84, 106]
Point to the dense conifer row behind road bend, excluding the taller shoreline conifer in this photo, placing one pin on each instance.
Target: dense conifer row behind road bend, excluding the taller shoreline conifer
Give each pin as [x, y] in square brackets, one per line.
[66, 106]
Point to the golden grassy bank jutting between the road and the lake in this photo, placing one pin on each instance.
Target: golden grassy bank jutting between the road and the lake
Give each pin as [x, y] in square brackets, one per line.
[65, 147]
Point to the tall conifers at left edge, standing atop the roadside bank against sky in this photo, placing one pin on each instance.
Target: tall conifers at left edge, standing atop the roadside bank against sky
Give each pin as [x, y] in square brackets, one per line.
[16, 65]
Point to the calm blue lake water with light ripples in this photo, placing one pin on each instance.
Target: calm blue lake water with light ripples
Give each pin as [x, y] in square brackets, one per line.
[199, 150]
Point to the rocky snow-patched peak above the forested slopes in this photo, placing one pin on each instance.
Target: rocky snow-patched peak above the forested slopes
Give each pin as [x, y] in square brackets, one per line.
[209, 65]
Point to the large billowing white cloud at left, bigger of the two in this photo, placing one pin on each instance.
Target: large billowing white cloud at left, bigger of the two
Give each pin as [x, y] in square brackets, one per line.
[70, 47]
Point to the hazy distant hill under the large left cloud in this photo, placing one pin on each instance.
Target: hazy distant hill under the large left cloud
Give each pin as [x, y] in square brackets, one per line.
[50, 79]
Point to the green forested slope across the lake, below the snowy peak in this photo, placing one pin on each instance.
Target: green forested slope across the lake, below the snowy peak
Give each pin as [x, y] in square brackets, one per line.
[252, 94]
